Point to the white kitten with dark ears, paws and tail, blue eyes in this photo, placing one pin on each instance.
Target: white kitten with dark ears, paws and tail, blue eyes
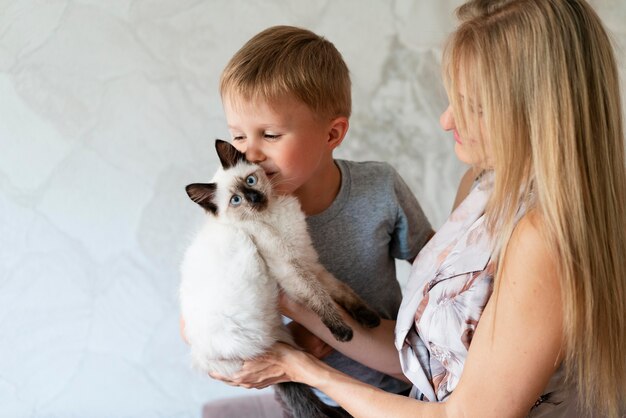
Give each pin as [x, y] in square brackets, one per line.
[253, 244]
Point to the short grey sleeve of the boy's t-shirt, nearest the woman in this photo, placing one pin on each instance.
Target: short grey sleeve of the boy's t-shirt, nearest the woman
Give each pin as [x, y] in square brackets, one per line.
[412, 228]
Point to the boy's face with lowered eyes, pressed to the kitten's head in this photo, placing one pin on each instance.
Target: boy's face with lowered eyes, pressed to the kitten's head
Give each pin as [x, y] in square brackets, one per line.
[286, 139]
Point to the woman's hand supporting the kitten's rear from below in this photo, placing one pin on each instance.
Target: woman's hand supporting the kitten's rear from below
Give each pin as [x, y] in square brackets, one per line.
[280, 364]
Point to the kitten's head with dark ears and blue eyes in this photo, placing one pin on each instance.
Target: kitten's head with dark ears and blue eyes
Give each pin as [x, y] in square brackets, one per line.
[239, 190]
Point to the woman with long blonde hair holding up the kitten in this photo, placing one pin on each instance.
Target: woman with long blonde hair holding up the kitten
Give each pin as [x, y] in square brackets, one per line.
[517, 306]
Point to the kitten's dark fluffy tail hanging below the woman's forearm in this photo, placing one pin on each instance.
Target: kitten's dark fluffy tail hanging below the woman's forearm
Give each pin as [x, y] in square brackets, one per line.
[303, 403]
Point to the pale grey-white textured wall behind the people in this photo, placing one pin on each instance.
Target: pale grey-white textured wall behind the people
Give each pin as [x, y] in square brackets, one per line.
[108, 108]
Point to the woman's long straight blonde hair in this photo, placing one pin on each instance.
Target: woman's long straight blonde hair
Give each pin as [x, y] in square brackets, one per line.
[545, 75]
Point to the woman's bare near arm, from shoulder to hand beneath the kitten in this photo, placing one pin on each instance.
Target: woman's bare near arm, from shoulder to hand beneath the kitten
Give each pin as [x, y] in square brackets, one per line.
[515, 350]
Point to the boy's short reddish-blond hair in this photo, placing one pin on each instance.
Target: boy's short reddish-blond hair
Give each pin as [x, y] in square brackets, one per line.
[286, 61]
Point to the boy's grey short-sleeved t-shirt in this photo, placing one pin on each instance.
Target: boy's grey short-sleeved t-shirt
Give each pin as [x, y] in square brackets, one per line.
[374, 219]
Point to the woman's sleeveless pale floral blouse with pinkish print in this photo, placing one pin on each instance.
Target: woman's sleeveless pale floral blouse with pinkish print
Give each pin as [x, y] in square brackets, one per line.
[450, 283]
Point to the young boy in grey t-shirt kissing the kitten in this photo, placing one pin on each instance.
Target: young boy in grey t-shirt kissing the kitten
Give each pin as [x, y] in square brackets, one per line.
[287, 100]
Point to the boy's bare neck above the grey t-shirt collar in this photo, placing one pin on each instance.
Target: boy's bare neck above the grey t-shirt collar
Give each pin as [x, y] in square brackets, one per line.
[320, 192]
